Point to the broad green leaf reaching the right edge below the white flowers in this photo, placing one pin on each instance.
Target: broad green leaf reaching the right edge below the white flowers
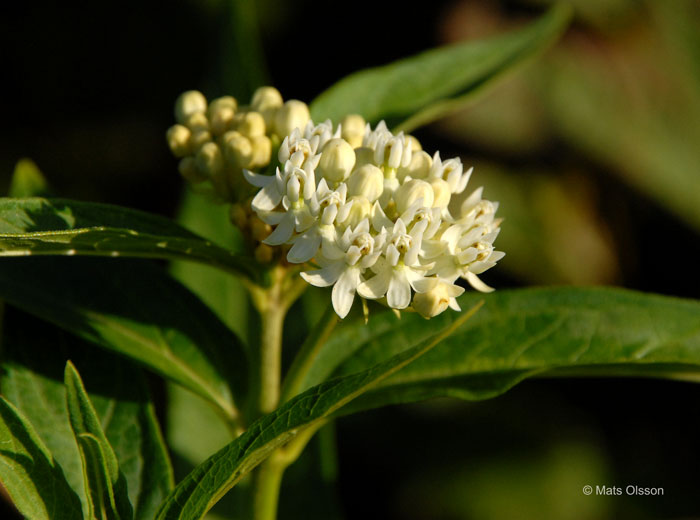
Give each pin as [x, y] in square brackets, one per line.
[525, 333]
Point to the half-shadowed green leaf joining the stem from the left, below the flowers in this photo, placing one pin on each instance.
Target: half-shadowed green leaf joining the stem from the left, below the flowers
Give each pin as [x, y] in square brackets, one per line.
[133, 308]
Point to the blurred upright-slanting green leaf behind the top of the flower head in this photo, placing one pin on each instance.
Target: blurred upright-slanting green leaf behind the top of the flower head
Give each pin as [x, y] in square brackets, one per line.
[431, 84]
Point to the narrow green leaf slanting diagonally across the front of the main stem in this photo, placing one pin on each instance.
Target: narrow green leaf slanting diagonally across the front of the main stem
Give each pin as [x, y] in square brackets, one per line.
[209, 481]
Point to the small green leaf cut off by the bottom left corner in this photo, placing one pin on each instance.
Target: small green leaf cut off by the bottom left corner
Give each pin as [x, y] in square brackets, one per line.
[29, 473]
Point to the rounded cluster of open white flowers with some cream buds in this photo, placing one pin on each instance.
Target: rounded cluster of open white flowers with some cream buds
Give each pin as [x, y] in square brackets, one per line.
[374, 212]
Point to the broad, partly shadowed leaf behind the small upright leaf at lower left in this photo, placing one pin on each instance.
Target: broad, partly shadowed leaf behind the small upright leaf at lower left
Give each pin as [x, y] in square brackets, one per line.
[33, 381]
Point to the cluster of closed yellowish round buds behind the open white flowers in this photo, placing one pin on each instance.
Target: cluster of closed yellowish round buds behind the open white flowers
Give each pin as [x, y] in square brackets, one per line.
[216, 141]
